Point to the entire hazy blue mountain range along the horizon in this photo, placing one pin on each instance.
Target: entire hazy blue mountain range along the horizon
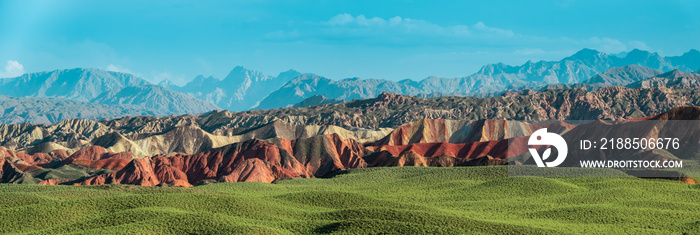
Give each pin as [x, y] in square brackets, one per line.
[59, 93]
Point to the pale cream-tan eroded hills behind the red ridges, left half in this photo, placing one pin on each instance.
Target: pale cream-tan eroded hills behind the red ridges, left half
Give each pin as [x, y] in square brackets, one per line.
[147, 136]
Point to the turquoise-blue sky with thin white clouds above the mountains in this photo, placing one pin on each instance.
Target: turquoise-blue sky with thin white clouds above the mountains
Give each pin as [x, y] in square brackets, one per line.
[394, 40]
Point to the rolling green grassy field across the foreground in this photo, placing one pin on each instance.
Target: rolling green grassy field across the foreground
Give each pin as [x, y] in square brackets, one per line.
[407, 200]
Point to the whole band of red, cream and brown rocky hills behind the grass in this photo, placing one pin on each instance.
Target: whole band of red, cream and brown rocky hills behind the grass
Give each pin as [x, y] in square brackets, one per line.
[268, 145]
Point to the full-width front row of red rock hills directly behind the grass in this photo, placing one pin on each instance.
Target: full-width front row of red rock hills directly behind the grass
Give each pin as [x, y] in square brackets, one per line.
[317, 156]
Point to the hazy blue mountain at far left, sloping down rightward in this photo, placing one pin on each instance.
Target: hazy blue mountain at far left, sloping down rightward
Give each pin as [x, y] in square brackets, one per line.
[112, 94]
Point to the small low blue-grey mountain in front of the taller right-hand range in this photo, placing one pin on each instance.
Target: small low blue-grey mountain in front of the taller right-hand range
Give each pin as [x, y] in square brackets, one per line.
[621, 76]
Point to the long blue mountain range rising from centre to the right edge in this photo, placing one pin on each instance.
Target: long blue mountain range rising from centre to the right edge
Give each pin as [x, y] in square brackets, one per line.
[494, 79]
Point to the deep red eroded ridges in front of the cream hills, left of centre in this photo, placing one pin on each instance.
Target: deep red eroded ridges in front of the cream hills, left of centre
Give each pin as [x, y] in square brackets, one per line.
[252, 160]
